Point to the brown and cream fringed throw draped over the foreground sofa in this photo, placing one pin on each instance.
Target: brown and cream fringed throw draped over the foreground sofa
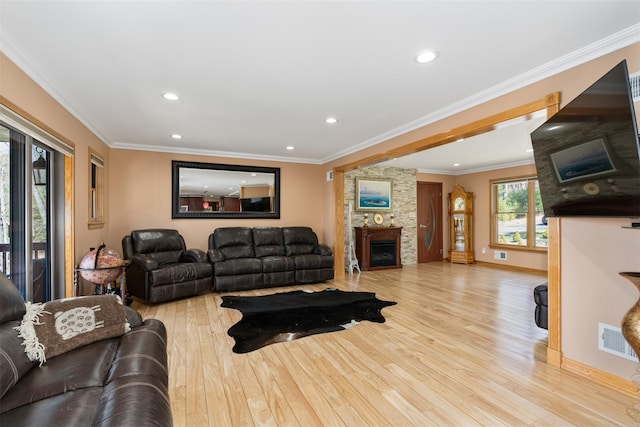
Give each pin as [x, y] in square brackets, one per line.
[55, 327]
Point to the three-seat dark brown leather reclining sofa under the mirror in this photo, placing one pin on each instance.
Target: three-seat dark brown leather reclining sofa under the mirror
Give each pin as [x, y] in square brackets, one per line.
[259, 257]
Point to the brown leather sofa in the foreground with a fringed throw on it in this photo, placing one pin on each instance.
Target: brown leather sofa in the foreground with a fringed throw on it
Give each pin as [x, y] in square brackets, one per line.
[119, 381]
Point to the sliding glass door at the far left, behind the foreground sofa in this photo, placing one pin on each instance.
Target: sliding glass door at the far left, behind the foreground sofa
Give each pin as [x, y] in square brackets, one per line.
[26, 183]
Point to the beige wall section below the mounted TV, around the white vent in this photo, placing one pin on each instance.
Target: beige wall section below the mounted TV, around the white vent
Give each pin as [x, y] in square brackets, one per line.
[594, 251]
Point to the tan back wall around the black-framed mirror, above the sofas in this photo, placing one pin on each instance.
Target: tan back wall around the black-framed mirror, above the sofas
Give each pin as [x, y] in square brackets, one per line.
[140, 189]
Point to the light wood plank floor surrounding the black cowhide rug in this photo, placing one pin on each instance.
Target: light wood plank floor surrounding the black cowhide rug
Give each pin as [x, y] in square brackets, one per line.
[460, 348]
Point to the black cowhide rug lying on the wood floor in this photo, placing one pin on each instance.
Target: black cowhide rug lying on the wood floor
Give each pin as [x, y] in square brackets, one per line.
[288, 316]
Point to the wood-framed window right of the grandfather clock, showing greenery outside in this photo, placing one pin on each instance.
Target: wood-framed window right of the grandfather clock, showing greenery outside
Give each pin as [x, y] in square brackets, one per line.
[517, 218]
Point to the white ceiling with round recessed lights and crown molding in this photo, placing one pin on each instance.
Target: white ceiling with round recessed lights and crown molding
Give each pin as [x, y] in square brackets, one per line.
[256, 76]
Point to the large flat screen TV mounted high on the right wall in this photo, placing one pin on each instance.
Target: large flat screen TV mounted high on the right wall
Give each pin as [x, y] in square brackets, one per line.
[588, 156]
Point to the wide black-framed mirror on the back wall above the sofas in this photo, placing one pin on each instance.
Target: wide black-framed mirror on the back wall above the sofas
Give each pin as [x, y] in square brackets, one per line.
[214, 190]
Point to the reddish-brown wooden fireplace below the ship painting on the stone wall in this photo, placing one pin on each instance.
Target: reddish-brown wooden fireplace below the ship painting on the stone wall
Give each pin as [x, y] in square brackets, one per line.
[364, 238]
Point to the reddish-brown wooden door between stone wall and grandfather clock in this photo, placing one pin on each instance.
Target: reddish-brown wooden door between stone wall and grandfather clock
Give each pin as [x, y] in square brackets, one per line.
[429, 221]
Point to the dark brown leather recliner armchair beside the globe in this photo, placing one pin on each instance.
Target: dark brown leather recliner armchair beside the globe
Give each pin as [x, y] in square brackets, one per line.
[161, 268]
